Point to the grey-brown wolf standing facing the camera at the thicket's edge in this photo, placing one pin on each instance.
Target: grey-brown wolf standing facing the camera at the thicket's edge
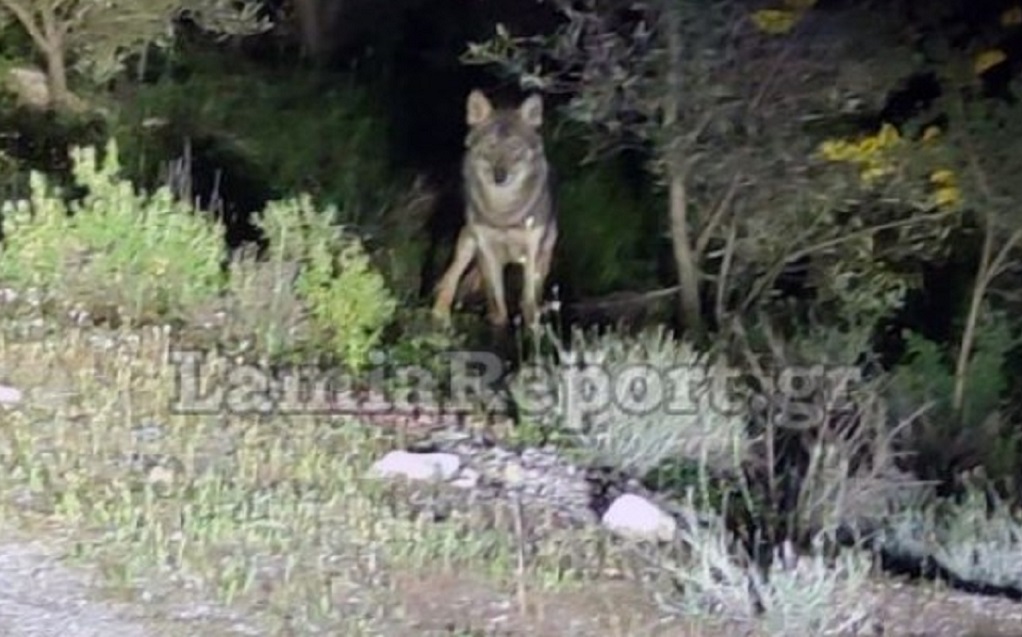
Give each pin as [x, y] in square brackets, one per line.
[510, 214]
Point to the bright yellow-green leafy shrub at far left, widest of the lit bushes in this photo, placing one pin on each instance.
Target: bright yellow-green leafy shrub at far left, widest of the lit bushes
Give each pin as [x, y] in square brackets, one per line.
[116, 248]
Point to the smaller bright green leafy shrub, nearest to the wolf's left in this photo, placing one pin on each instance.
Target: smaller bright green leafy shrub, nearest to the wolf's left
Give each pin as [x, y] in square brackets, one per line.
[347, 299]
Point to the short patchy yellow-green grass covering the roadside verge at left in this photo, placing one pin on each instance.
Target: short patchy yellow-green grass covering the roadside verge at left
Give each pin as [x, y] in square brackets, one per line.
[271, 514]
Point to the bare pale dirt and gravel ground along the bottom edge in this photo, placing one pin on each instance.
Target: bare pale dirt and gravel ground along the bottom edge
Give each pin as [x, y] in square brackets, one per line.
[40, 597]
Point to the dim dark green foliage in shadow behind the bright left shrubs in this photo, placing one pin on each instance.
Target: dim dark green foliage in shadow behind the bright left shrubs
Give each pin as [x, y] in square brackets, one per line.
[274, 134]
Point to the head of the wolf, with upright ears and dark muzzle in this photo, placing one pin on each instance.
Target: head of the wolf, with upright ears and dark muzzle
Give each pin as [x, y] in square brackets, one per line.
[505, 147]
